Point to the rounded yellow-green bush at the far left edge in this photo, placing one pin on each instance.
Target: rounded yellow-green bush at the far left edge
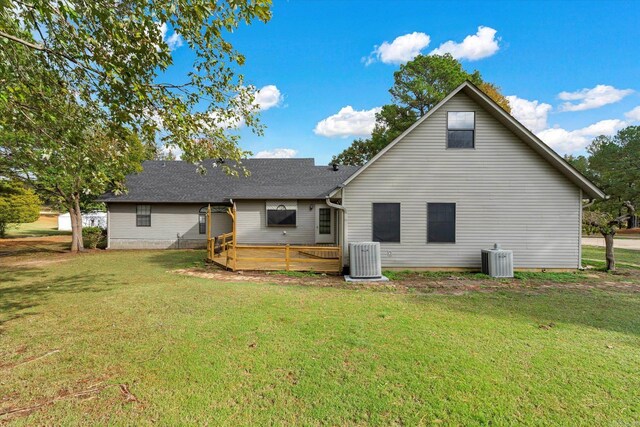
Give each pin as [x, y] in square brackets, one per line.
[18, 205]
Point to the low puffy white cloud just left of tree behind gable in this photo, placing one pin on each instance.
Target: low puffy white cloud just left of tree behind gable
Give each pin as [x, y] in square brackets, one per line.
[348, 122]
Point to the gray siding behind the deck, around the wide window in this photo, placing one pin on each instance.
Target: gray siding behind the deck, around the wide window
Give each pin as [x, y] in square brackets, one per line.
[252, 224]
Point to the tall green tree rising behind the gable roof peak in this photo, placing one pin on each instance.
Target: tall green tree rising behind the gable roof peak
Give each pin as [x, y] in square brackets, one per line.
[418, 86]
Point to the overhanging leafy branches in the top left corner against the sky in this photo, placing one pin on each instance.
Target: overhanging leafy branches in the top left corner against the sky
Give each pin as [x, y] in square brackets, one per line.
[114, 55]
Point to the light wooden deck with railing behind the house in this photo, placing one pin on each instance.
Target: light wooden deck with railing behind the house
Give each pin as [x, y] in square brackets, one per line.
[225, 251]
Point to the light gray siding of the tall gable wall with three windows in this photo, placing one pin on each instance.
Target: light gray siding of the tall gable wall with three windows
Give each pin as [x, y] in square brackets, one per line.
[504, 192]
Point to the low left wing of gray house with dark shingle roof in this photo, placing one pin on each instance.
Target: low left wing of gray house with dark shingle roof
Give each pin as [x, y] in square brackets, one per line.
[281, 201]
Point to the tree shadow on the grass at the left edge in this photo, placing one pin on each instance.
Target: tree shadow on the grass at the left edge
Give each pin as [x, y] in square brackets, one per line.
[22, 289]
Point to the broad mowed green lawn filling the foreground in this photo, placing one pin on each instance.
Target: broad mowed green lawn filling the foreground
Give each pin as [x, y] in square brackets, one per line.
[196, 351]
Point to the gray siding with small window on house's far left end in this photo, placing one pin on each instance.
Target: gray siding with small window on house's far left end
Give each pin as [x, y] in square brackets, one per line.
[172, 226]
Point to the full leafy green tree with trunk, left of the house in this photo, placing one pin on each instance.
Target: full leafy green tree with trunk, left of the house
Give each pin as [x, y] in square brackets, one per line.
[66, 149]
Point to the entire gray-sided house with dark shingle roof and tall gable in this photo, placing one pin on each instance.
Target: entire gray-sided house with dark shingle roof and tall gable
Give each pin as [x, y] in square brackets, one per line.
[463, 177]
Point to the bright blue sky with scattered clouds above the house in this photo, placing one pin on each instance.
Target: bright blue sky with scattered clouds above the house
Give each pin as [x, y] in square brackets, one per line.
[315, 53]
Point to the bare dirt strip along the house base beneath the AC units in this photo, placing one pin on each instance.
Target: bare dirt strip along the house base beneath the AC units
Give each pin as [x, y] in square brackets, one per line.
[453, 284]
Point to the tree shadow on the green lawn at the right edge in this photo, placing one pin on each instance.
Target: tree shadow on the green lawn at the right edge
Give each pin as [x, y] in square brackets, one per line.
[611, 311]
